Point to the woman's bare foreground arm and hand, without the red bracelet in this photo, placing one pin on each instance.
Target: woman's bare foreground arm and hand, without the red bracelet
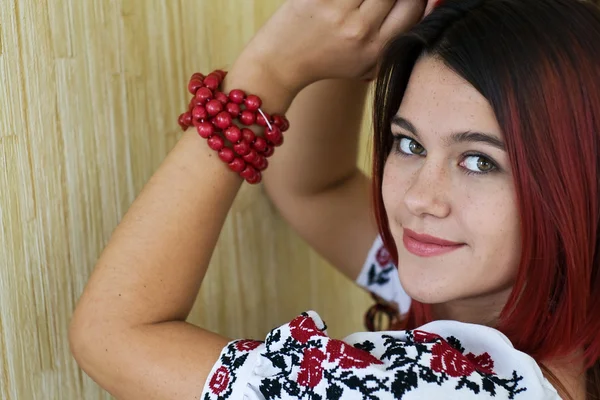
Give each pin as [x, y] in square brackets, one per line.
[129, 331]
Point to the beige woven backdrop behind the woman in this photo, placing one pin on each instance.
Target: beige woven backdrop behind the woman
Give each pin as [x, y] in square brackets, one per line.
[89, 100]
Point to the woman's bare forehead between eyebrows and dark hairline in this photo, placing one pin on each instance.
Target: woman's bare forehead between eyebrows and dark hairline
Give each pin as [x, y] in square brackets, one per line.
[439, 100]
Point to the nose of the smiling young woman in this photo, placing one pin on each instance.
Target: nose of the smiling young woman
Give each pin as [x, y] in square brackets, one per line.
[427, 193]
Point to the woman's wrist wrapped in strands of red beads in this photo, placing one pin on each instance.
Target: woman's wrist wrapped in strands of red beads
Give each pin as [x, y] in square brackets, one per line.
[220, 118]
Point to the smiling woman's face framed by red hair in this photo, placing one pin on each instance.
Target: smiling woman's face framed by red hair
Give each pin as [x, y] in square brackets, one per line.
[449, 195]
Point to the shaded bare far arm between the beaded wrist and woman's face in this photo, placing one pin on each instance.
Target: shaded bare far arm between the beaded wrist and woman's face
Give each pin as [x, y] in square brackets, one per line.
[314, 181]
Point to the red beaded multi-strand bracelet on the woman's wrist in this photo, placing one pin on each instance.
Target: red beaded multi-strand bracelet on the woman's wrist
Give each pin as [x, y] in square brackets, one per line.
[213, 113]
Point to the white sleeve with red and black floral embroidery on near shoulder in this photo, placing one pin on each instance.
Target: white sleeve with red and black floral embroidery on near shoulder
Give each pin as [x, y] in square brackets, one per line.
[444, 359]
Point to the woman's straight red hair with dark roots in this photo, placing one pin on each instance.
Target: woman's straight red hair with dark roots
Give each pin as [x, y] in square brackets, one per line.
[537, 63]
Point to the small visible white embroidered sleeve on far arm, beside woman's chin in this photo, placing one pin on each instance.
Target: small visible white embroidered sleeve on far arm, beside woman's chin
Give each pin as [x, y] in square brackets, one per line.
[379, 276]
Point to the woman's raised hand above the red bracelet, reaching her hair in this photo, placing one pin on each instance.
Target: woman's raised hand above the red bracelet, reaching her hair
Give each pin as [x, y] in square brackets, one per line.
[309, 40]
